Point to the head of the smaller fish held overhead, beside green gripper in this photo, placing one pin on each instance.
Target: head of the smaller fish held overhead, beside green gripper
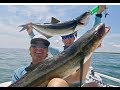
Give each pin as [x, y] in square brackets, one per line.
[84, 18]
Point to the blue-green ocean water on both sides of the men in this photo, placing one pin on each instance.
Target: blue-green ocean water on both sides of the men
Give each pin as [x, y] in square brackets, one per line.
[11, 59]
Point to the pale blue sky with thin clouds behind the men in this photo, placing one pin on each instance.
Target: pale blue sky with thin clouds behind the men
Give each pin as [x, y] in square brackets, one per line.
[11, 16]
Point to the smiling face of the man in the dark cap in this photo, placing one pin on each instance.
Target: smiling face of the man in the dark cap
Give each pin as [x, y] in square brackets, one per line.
[38, 54]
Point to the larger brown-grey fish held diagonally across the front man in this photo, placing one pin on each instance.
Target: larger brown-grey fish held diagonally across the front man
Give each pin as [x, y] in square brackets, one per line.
[66, 62]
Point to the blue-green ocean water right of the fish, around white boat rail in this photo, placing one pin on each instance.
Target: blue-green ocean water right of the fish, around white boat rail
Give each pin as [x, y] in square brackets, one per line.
[108, 64]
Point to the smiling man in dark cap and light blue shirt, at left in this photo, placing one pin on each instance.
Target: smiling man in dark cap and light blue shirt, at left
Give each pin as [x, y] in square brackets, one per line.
[38, 51]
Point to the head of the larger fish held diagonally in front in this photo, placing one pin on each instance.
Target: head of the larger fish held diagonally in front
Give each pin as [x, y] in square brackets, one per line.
[94, 38]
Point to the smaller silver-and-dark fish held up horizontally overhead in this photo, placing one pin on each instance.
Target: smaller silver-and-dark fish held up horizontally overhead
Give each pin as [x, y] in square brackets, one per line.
[58, 28]
